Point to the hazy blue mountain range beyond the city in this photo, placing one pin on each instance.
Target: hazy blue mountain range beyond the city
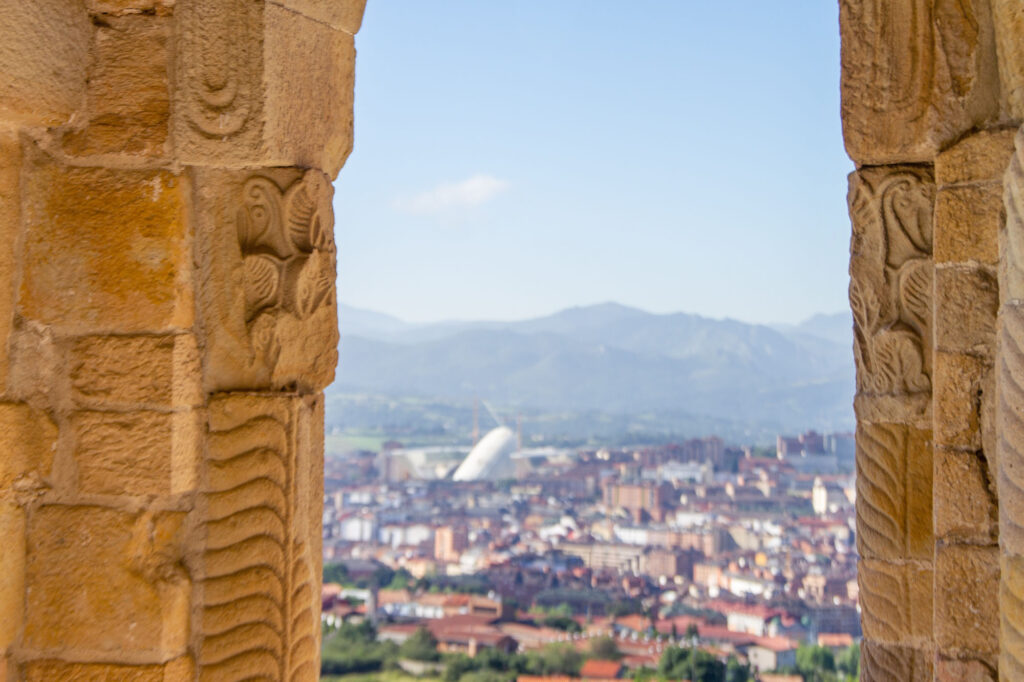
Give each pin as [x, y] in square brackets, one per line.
[614, 359]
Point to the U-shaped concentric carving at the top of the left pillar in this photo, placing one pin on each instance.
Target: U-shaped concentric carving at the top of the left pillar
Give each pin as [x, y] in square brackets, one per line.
[220, 65]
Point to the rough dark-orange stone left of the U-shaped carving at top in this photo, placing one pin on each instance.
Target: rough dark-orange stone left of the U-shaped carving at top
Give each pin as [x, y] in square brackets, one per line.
[129, 100]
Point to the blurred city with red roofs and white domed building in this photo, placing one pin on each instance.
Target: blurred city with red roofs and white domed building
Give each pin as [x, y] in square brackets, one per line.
[527, 563]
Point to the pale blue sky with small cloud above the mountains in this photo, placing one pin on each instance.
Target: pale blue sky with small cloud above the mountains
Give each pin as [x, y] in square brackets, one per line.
[514, 159]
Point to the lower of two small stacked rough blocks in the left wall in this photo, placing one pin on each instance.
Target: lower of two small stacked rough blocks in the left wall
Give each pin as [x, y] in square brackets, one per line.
[137, 453]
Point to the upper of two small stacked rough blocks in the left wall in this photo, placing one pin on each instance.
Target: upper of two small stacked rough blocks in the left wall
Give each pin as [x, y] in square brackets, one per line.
[137, 371]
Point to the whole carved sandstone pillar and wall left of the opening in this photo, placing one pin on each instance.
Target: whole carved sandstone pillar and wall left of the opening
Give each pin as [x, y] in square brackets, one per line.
[167, 327]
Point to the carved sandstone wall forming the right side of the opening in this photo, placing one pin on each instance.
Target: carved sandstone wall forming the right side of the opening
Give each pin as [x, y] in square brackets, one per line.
[932, 99]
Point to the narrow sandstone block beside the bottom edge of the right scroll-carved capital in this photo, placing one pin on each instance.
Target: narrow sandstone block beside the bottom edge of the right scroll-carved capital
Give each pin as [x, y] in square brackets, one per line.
[959, 382]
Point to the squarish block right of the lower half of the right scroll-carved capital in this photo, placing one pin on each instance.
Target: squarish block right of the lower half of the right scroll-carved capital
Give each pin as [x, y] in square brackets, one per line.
[967, 301]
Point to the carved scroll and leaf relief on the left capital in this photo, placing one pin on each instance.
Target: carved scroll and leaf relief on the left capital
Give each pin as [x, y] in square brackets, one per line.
[288, 255]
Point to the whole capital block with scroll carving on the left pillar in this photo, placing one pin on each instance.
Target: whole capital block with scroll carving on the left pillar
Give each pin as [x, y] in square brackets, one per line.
[268, 264]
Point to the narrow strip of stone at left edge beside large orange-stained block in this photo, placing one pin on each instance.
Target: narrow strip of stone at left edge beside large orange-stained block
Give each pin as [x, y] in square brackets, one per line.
[11, 214]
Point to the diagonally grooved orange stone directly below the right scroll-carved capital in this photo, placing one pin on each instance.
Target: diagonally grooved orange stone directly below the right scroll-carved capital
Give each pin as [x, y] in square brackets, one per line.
[894, 492]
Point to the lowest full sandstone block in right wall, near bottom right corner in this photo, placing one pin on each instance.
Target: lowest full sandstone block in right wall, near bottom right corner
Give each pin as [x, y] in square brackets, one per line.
[967, 618]
